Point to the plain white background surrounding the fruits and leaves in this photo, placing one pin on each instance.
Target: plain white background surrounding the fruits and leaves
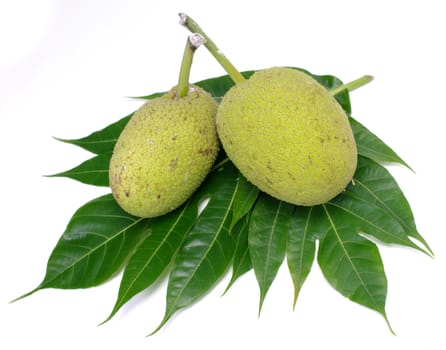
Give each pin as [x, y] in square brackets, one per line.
[66, 68]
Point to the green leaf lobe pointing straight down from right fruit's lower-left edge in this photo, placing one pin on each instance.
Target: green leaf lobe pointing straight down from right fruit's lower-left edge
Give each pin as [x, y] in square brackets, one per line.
[267, 239]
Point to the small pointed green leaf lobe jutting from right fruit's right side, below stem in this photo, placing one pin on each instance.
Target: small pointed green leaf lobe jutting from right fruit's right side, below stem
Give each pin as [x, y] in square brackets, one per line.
[370, 146]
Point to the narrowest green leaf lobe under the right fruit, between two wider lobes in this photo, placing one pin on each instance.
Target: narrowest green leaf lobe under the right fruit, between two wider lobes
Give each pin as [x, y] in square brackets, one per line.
[301, 247]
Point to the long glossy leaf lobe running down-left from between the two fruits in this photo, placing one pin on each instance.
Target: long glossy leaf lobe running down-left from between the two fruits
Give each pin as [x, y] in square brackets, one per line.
[208, 248]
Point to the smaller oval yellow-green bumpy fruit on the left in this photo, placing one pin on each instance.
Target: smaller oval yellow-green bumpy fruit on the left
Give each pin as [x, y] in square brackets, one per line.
[164, 153]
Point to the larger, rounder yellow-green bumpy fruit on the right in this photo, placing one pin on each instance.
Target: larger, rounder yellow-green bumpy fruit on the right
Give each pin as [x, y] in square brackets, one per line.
[288, 136]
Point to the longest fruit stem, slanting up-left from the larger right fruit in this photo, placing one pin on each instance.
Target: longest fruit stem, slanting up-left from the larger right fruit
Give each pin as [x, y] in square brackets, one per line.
[190, 24]
